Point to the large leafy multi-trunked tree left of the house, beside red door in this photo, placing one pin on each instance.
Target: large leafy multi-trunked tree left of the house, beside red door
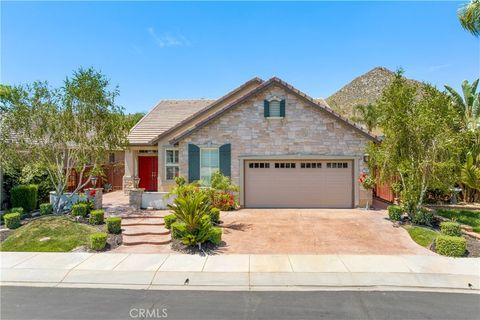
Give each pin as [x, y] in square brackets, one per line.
[64, 129]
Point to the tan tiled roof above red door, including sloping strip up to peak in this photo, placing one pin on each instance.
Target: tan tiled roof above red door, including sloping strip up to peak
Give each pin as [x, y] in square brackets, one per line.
[169, 115]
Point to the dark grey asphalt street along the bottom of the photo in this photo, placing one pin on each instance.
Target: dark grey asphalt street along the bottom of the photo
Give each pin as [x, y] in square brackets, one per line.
[76, 303]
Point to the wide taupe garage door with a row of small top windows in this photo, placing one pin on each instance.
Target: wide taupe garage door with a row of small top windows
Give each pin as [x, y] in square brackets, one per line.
[299, 184]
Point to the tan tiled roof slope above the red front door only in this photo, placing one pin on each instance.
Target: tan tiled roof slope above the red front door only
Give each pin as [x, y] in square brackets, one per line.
[165, 115]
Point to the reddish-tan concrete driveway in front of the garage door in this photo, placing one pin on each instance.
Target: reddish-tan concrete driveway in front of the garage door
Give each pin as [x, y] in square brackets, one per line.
[314, 231]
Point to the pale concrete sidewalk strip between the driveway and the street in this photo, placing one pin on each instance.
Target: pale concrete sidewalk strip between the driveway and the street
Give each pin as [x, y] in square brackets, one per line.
[240, 272]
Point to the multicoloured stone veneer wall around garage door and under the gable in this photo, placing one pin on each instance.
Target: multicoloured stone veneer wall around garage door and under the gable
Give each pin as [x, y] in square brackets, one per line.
[304, 130]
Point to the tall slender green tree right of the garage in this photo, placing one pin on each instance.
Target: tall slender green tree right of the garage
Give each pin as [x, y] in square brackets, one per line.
[420, 146]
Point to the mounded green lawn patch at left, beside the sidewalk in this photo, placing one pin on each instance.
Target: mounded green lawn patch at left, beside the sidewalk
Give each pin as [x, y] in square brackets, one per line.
[64, 235]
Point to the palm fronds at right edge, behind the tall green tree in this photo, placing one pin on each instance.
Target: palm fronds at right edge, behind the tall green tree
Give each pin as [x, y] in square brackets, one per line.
[467, 106]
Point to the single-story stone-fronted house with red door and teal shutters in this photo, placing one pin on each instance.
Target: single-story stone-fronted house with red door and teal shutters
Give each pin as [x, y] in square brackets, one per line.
[282, 147]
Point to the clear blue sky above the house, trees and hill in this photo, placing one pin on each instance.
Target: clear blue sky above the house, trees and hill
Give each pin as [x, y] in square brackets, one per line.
[159, 50]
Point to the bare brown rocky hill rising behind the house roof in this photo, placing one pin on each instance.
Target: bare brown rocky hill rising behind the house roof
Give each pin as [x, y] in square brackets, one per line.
[364, 89]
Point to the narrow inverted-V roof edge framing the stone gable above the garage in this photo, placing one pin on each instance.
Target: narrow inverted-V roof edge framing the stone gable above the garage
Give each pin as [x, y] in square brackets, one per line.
[320, 103]
